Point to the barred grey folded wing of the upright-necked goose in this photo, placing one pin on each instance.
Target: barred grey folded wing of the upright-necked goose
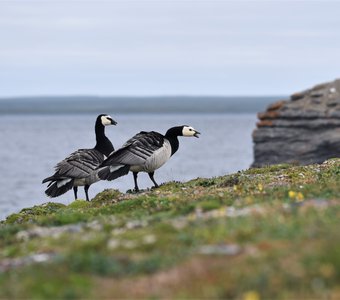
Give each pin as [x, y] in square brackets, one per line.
[77, 165]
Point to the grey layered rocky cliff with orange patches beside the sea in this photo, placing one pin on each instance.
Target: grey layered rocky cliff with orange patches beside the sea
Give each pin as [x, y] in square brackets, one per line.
[304, 129]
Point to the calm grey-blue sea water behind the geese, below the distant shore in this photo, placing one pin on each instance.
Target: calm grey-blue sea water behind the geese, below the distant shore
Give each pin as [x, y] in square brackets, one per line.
[32, 144]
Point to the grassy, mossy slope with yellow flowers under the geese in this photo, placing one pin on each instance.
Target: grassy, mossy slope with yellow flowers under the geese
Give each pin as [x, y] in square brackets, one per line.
[269, 233]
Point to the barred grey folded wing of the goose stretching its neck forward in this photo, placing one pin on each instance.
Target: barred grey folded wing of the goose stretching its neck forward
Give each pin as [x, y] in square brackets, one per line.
[136, 150]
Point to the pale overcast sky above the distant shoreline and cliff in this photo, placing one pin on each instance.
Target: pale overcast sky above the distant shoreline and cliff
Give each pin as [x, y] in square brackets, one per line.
[167, 47]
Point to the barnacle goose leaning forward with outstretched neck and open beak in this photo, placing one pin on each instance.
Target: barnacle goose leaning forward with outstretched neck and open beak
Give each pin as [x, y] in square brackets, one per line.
[145, 152]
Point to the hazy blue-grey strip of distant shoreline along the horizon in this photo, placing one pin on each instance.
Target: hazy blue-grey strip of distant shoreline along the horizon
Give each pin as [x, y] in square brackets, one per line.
[128, 104]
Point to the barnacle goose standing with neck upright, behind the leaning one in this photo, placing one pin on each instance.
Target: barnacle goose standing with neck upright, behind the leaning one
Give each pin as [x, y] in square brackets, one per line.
[78, 169]
